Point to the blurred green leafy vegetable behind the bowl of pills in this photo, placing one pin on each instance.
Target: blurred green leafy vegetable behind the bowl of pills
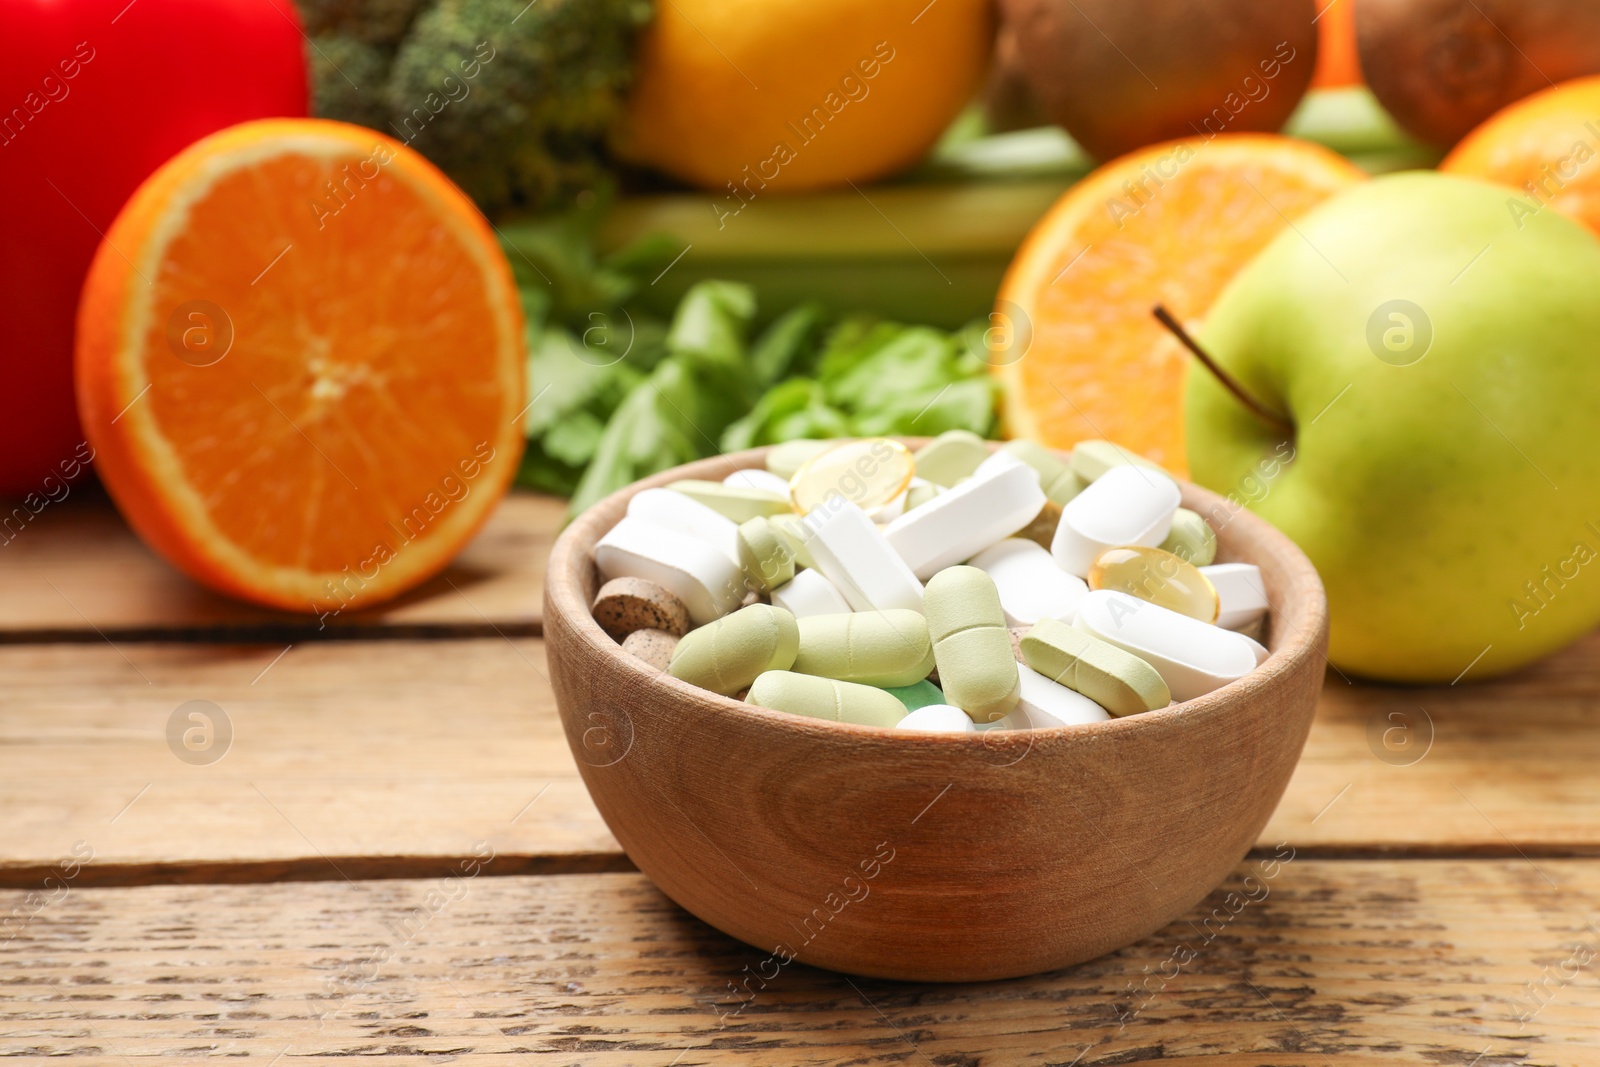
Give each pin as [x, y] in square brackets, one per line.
[618, 396]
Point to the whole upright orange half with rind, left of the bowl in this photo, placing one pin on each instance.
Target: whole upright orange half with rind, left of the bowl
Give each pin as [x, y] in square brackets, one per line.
[300, 364]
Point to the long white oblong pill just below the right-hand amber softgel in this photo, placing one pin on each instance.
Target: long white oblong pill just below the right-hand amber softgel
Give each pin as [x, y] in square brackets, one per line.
[1191, 657]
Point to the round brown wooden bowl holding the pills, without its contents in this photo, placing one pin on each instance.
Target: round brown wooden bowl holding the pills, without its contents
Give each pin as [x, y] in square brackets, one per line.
[930, 857]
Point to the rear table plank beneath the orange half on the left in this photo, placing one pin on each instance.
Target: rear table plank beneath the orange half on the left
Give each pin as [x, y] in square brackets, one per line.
[76, 572]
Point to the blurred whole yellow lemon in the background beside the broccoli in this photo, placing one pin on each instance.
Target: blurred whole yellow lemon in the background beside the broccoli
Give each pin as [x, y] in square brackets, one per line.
[756, 97]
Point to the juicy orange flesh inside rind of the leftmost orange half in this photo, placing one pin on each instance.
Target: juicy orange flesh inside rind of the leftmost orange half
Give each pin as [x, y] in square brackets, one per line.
[282, 438]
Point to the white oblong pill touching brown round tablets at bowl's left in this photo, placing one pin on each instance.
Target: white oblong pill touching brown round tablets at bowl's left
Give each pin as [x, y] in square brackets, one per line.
[692, 570]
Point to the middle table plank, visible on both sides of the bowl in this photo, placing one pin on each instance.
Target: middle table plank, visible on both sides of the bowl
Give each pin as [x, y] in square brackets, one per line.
[391, 759]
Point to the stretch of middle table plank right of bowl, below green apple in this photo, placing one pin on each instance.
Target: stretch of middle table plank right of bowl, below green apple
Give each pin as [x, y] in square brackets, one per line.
[1492, 767]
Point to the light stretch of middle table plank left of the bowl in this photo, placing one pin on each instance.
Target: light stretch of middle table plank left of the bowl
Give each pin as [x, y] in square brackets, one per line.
[348, 759]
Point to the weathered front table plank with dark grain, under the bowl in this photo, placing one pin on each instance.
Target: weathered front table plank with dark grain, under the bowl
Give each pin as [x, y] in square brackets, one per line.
[1335, 962]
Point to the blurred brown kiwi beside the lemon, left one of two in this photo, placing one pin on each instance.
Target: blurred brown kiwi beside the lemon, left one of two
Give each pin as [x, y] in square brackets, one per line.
[1119, 76]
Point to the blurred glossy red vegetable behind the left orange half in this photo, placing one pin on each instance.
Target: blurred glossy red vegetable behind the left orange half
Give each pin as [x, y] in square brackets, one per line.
[97, 95]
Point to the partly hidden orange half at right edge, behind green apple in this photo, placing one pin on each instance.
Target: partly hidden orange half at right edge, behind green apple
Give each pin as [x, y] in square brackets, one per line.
[1546, 146]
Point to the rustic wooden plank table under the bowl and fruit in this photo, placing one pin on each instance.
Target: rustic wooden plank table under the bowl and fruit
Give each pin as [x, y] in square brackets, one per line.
[394, 857]
